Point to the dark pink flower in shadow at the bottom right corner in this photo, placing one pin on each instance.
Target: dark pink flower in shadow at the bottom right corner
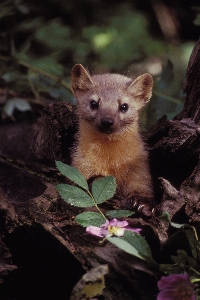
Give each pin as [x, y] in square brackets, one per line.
[176, 287]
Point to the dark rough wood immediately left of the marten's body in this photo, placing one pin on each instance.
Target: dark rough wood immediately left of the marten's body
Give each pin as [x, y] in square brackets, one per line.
[37, 146]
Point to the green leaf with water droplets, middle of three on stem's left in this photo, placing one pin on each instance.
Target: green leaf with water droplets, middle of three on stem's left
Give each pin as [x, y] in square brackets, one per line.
[74, 195]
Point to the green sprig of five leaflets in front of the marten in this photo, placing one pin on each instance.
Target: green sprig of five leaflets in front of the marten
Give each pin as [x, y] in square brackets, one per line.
[80, 195]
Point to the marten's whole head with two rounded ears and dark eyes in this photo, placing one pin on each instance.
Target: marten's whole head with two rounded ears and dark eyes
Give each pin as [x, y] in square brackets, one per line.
[110, 102]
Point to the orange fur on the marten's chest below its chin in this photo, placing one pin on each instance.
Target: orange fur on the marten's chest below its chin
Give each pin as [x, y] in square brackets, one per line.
[106, 156]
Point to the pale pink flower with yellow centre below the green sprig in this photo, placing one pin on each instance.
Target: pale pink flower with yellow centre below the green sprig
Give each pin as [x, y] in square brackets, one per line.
[113, 227]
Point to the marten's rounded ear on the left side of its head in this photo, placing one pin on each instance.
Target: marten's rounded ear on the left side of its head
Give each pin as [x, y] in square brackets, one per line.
[80, 79]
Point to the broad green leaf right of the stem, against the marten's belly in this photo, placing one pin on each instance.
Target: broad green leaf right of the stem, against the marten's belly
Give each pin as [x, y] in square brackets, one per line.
[103, 188]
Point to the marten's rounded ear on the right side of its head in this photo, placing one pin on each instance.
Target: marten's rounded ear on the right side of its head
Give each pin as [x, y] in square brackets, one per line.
[141, 89]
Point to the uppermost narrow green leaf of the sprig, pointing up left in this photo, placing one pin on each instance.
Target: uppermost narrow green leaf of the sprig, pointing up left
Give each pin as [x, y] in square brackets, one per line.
[73, 174]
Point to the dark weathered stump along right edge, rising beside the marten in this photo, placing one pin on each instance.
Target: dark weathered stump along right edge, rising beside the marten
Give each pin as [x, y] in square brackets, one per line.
[175, 149]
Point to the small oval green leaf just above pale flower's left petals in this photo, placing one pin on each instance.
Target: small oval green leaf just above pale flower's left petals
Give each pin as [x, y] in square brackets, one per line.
[90, 218]
